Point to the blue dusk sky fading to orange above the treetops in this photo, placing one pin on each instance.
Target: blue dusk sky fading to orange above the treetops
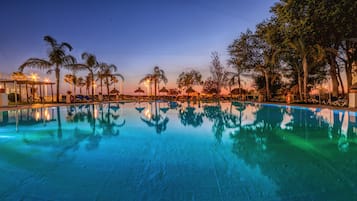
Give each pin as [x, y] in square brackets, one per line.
[134, 35]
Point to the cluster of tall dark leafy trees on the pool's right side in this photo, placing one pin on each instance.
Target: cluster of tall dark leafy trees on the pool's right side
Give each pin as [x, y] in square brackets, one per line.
[306, 42]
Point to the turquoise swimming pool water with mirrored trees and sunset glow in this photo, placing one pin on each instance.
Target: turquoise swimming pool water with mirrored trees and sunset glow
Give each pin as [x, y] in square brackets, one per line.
[161, 151]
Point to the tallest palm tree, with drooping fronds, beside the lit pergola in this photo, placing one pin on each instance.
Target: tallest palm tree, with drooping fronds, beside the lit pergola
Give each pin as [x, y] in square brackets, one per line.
[57, 58]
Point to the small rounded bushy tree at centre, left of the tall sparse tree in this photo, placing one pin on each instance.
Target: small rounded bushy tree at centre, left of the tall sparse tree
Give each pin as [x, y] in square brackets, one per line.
[187, 79]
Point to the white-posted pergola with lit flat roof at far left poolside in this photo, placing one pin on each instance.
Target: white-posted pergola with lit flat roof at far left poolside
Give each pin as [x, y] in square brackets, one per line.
[18, 83]
